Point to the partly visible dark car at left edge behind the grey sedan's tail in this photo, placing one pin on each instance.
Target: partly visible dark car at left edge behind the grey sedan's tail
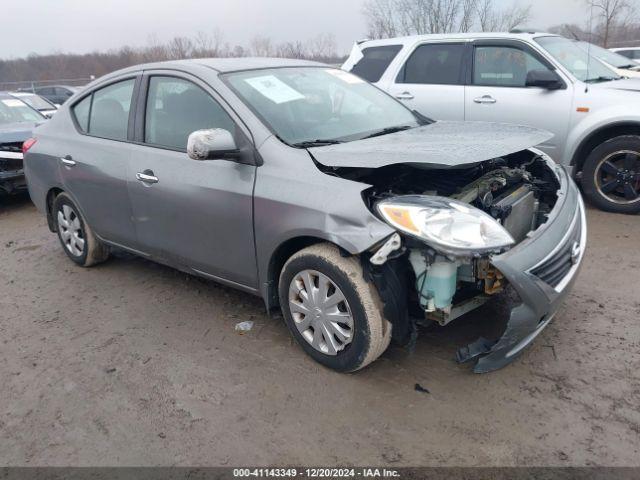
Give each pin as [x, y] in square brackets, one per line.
[17, 121]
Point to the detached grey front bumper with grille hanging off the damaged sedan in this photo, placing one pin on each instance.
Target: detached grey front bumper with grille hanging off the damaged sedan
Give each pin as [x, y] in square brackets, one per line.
[542, 270]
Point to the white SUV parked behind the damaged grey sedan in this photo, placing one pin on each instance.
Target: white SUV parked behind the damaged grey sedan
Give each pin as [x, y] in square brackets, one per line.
[535, 79]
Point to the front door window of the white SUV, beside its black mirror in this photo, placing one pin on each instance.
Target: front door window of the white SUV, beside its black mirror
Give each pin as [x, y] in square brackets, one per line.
[503, 66]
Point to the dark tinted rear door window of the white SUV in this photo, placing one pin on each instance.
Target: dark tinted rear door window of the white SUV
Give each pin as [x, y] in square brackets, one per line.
[434, 64]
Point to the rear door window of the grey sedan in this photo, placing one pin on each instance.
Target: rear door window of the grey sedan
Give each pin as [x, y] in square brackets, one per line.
[109, 116]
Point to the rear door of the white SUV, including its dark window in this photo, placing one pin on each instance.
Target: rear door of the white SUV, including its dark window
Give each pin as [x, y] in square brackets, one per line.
[431, 80]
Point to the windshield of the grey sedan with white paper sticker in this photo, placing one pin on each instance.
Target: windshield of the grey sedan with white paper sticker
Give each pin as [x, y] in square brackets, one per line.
[319, 105]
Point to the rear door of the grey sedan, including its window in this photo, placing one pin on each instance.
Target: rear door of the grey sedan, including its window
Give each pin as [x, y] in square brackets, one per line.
[94, 159]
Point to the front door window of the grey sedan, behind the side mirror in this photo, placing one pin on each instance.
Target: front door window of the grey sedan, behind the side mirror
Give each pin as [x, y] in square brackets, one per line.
[176, 108]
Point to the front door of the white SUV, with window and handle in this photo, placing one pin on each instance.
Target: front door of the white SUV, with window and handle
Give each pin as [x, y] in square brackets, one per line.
[498, 93]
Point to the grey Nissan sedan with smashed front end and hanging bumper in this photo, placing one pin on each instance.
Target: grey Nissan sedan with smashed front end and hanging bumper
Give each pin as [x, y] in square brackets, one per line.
[315, 190]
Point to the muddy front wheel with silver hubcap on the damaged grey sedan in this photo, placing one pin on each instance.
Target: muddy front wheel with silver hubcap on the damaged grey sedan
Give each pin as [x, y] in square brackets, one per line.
[368, 332]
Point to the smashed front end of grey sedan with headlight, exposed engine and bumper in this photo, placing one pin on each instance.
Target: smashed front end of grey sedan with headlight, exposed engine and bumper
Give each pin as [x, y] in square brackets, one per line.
[467, 233]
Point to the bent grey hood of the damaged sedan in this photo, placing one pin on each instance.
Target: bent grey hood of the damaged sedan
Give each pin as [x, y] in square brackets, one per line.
[440, 144]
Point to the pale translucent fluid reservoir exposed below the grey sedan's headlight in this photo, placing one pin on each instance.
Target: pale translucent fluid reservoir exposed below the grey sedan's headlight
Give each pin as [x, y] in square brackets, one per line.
[436, 282]
